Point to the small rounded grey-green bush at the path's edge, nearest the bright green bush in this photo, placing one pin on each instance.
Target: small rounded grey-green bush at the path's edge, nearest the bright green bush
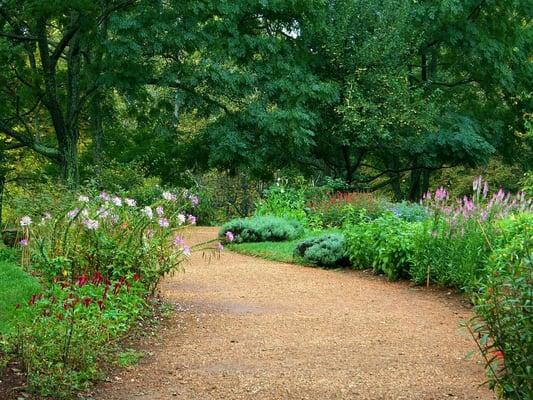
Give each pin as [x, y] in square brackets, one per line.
[326, 251]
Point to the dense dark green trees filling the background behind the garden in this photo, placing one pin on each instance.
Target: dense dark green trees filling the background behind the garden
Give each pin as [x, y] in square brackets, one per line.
[390, 95]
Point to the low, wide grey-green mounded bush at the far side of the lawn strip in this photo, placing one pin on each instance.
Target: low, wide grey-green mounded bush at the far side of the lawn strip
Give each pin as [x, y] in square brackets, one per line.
[263, 229]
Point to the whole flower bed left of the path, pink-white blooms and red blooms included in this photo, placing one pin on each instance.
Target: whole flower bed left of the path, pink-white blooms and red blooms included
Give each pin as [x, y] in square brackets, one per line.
[98, 261]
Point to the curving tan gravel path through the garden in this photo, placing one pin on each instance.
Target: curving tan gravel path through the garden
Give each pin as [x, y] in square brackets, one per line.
[246, 328]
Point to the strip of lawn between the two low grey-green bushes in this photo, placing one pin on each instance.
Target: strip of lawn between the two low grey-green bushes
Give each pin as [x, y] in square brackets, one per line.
[276, 251]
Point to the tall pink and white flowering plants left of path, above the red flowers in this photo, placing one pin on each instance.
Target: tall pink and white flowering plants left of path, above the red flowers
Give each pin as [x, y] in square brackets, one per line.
[112, 236]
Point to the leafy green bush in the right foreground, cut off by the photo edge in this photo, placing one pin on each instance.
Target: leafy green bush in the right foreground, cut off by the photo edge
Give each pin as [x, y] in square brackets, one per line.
[503, 326]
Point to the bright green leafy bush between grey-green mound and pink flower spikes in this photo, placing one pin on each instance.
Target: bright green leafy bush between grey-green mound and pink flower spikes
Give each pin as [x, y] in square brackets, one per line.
[385, 244]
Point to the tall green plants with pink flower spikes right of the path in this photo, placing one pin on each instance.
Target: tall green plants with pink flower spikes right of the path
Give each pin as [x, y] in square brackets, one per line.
[453, 247]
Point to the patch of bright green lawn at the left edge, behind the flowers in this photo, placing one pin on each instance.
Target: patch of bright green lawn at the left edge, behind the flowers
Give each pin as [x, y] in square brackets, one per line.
[16, 287]
